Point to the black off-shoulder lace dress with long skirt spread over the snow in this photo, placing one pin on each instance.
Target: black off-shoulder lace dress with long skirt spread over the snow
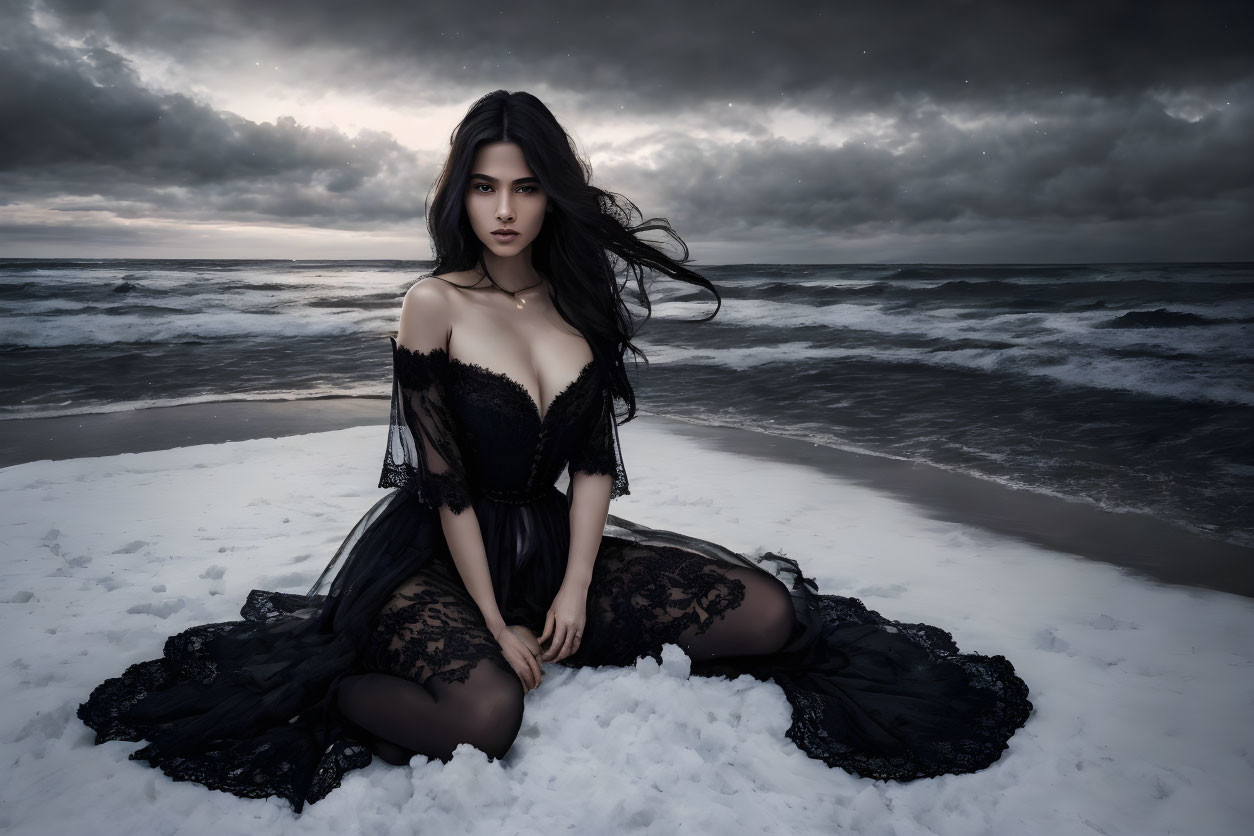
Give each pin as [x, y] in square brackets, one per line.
[249, 706]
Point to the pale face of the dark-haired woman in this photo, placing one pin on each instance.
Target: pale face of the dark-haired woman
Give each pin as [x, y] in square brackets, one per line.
[505, 195]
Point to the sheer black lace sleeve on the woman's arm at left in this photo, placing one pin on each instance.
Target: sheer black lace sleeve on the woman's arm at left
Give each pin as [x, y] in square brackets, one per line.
[423, 454]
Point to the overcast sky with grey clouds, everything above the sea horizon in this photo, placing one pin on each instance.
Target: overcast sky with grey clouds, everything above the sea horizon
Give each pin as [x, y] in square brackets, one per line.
[766, 132]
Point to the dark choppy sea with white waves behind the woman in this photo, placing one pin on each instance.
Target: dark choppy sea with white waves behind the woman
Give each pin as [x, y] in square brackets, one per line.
[1123, 385]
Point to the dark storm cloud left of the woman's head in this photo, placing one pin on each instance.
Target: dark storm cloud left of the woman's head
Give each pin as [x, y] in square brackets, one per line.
[78, 121]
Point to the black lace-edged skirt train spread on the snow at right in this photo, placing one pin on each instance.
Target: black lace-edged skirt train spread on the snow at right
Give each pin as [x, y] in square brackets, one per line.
[883, 699]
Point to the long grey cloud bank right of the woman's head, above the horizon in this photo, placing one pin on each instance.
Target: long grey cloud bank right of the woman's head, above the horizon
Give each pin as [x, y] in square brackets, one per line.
[1077, 171]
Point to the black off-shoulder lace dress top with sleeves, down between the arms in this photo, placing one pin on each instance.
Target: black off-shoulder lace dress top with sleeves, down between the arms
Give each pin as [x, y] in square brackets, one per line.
[463, 436]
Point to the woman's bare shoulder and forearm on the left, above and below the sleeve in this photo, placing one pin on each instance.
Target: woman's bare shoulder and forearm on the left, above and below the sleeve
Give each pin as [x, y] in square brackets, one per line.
[426, 324]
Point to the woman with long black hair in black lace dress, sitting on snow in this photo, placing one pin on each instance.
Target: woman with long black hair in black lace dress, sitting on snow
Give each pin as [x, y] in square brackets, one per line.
[436, 616]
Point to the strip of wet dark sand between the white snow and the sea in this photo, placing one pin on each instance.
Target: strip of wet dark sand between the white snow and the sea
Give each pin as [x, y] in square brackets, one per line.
[1148, 547]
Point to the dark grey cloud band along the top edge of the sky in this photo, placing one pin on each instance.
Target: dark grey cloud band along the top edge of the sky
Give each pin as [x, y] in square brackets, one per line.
[668, 53]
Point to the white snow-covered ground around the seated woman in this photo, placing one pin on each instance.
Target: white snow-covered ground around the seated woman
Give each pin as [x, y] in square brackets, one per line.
[1143, 692]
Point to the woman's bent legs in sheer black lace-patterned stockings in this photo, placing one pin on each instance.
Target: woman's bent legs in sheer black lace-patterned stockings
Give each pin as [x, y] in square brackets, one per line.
[481, 703]
